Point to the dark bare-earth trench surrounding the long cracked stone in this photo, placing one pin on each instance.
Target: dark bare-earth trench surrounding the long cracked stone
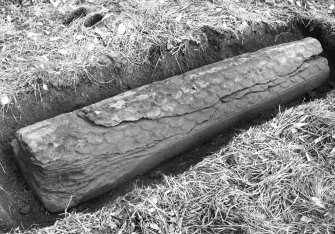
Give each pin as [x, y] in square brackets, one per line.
[19, 205]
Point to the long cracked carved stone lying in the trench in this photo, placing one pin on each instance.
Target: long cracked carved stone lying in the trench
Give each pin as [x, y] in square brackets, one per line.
[79, 155]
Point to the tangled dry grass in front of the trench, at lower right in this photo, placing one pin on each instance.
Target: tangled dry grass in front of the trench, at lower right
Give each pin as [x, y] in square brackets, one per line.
[278, 177]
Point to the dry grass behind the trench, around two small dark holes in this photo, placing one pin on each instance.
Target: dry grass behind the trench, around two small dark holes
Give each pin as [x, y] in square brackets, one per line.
[37, 50]
